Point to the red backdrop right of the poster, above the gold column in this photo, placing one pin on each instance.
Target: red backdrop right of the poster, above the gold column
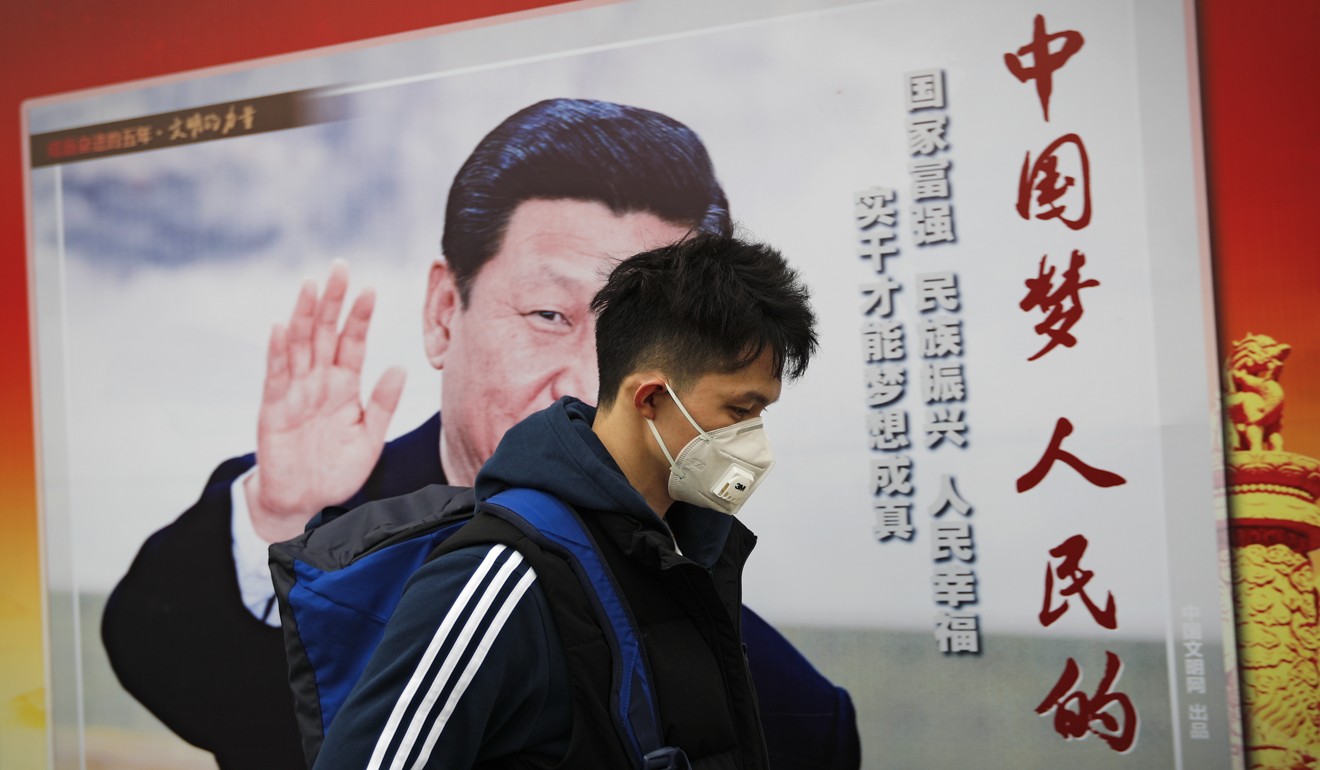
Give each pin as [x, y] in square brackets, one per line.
[1259, 73]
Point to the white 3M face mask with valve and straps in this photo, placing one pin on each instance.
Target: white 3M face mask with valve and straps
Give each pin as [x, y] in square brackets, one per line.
[719, 470]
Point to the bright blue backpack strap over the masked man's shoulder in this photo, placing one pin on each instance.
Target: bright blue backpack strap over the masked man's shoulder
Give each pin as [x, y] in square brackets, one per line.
[550, 522]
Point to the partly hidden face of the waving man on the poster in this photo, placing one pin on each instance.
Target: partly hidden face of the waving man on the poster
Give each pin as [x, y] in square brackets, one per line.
[527, 335]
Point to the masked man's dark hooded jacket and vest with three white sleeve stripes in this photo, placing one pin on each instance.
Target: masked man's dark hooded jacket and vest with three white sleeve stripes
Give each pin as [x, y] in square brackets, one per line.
[473, 673]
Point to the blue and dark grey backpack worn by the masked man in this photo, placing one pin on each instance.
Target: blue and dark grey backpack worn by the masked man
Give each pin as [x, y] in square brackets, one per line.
[340, 582]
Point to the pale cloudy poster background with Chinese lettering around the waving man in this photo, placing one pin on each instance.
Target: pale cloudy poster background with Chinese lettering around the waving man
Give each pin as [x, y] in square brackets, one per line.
[1006, 252]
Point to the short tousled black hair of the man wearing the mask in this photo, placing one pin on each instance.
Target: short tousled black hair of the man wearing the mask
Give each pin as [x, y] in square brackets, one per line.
[708, 304]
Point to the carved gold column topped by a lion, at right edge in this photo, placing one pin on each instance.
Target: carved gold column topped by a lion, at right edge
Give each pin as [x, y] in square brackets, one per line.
[1274, 528]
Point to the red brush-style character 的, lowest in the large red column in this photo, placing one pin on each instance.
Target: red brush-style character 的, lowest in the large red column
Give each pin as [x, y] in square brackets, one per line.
[1109, 715]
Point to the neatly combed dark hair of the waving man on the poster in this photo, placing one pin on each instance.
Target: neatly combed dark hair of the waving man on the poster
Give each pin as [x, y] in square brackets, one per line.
[625, 158]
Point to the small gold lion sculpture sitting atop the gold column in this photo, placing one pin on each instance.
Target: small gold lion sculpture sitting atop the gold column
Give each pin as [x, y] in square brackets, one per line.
[1253, 394]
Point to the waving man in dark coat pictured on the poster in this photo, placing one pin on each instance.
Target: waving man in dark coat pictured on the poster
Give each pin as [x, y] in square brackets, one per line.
[537, 216]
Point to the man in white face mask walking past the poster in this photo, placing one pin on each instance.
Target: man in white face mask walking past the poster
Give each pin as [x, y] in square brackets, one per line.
[694, 341]
